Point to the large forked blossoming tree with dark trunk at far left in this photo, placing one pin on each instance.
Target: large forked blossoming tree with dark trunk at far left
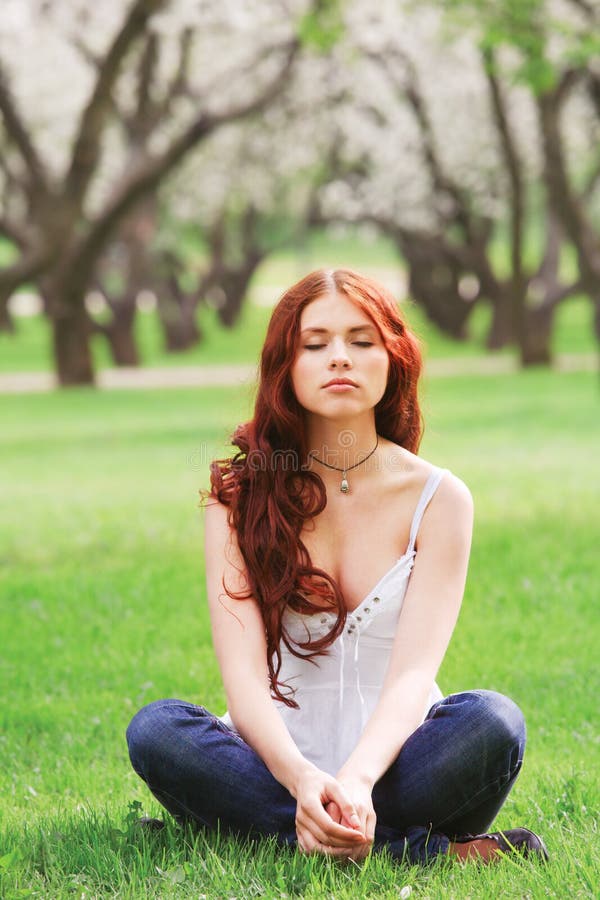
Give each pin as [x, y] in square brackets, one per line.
[71, 177]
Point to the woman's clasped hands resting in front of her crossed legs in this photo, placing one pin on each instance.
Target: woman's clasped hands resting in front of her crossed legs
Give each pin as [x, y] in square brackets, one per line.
[334, 816]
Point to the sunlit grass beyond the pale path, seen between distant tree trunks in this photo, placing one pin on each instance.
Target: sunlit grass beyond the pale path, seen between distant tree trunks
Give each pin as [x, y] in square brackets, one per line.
[30, 349]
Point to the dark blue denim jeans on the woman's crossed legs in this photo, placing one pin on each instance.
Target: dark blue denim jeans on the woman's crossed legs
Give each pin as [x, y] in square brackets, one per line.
[450, 779]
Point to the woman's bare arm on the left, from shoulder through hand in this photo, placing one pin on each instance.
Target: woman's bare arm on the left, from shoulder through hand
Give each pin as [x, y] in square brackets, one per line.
[241, 648]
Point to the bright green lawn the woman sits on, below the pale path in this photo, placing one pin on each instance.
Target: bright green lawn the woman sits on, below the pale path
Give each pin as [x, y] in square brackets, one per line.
[103, 608]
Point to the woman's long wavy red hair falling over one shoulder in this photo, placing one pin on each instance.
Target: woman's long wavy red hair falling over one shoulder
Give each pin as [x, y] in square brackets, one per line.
[269, 491]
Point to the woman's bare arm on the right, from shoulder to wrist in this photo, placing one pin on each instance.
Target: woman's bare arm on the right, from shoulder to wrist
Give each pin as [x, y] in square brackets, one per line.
[425, 626]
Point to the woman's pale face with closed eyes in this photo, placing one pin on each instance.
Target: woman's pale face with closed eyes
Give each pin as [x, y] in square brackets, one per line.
[338, 341]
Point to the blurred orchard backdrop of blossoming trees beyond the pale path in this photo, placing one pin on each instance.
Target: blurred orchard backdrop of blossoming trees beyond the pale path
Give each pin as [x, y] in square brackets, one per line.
[168, 167]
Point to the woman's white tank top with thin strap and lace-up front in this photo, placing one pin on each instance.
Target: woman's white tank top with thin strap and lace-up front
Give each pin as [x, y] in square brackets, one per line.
[337, 693]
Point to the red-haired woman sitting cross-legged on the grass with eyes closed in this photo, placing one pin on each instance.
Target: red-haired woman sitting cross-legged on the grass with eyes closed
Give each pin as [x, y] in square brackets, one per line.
[336, 561]
